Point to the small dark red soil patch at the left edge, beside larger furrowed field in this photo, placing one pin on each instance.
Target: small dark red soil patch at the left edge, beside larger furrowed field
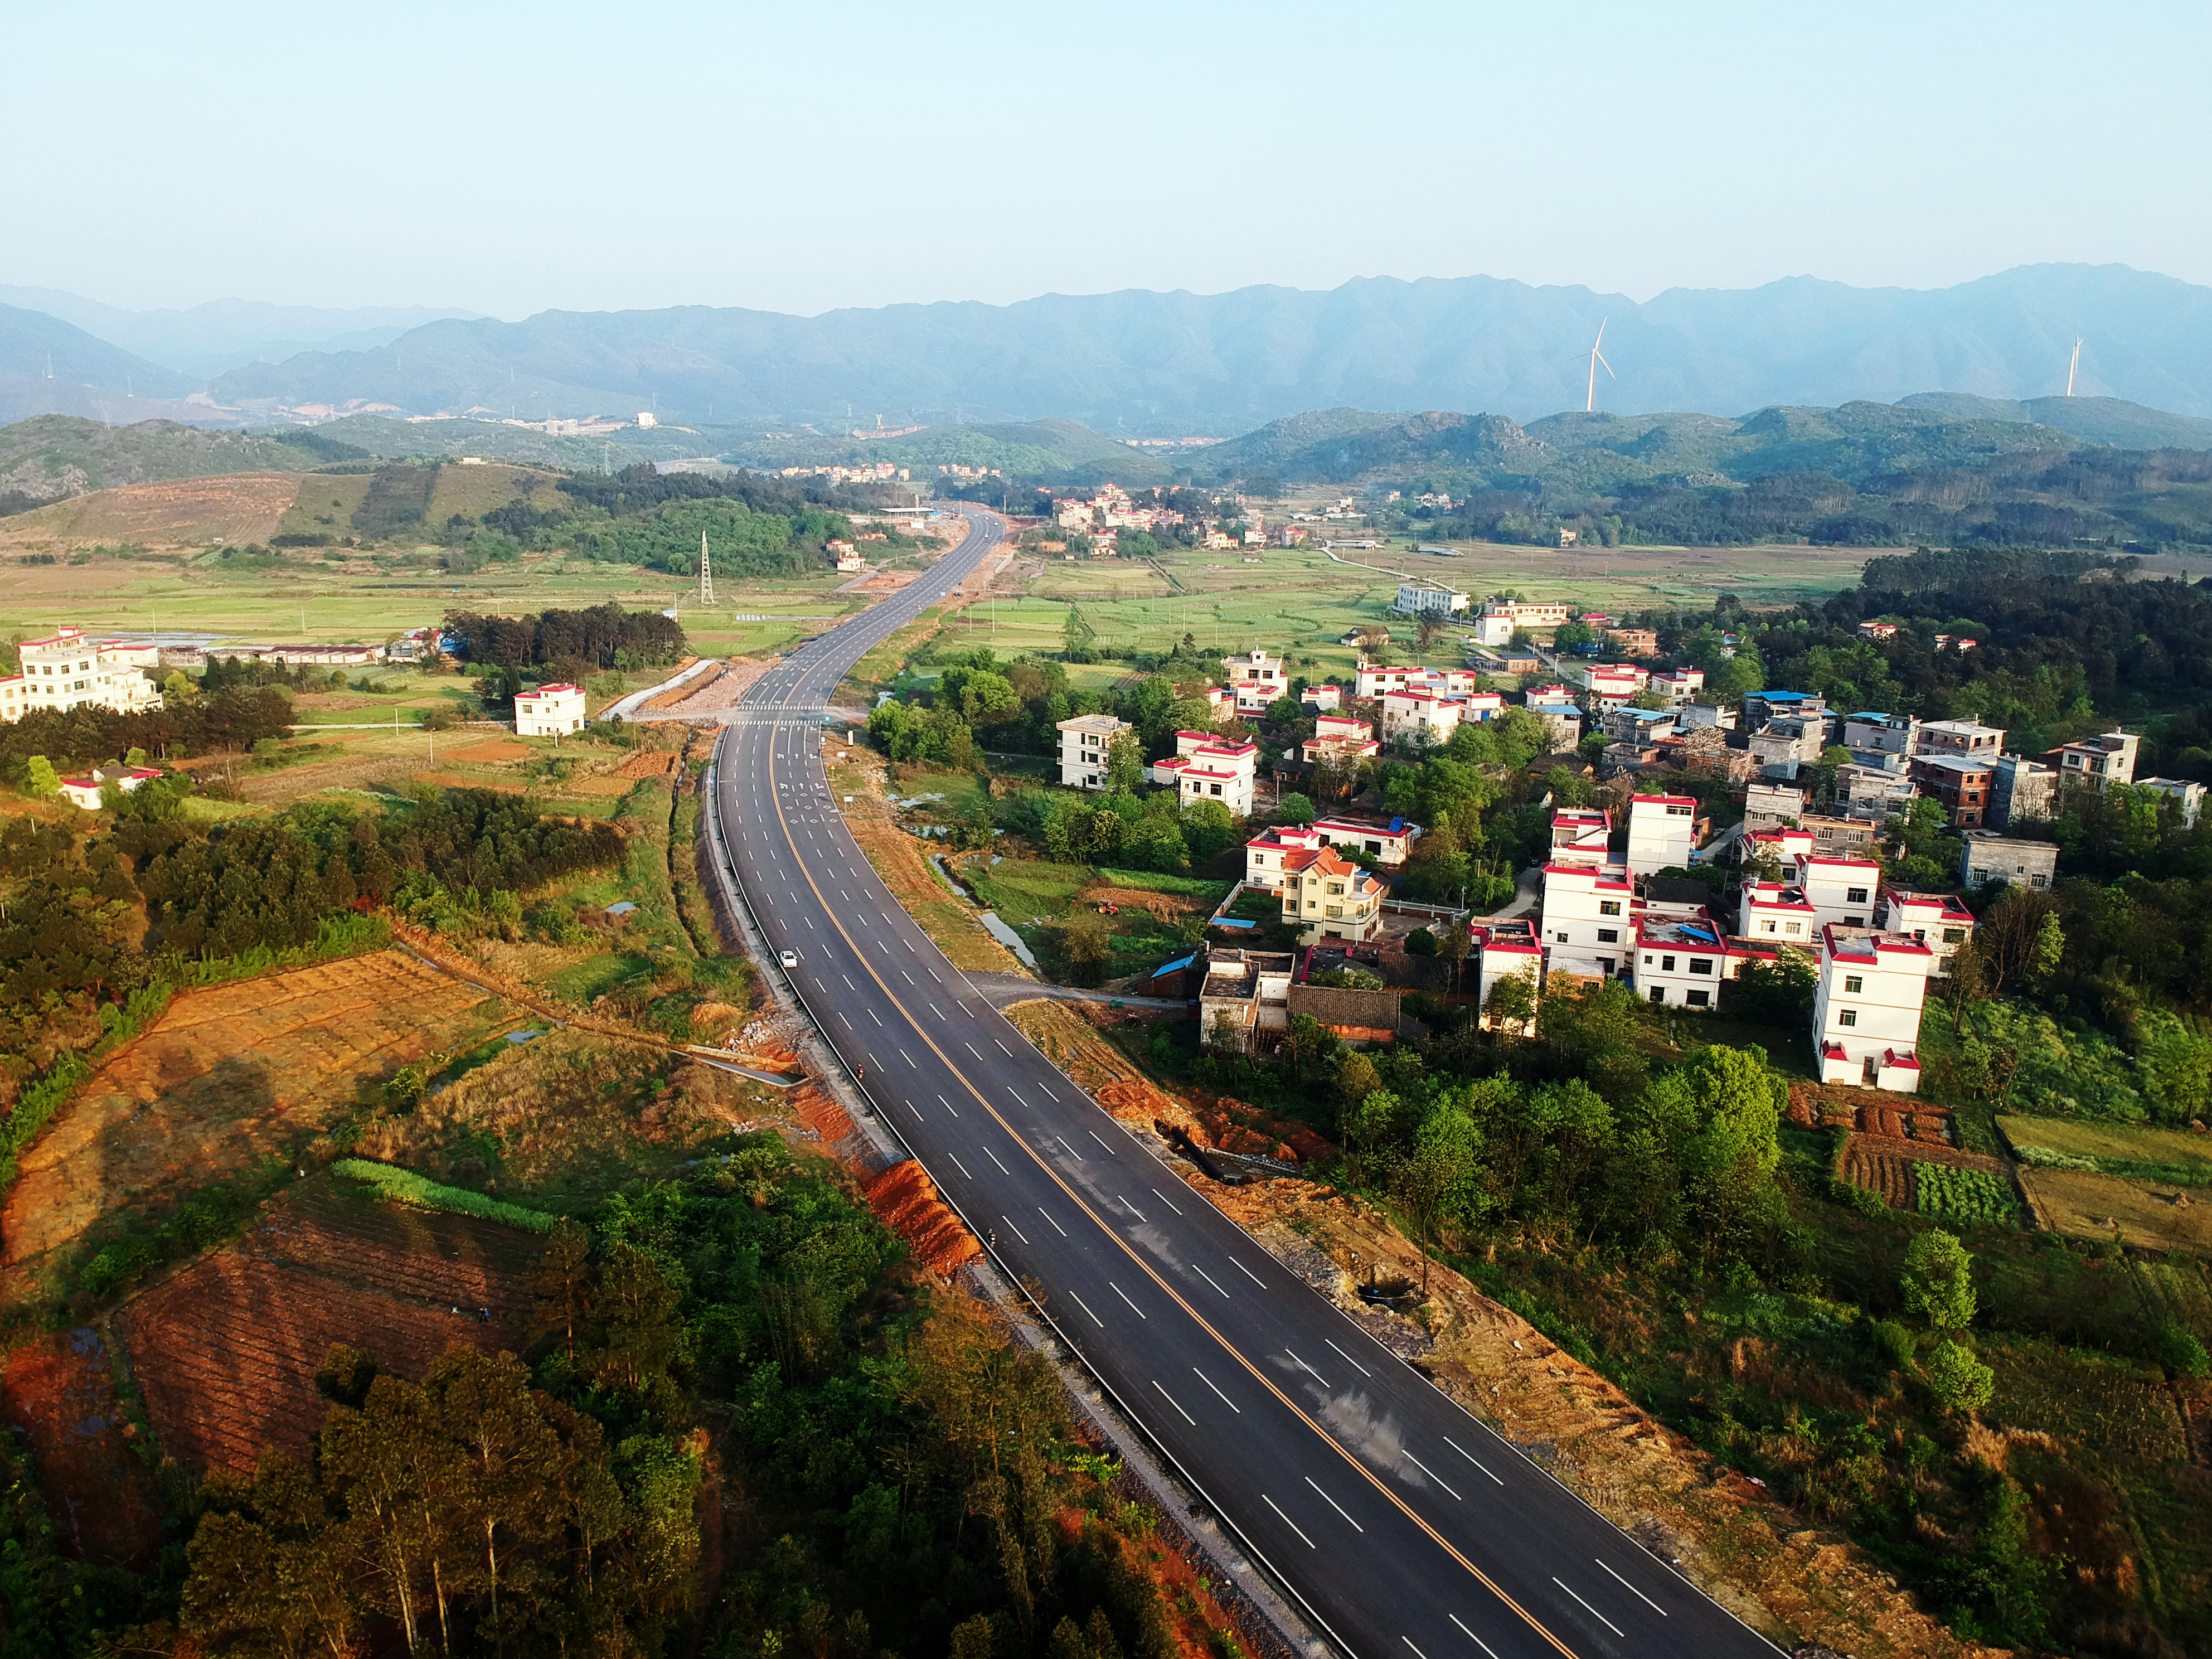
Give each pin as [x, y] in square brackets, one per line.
[61, 1397]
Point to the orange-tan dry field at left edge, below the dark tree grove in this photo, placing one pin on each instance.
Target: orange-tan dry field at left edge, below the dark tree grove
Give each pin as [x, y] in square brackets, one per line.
[227, 1078]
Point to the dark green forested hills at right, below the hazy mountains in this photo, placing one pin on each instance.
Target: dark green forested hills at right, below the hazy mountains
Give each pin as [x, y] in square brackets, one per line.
[1861, 474]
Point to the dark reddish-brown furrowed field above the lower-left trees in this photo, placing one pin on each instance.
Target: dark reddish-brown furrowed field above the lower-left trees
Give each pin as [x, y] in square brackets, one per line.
[227, 1350]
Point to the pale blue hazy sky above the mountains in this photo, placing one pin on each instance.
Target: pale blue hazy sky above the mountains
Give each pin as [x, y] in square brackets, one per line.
[517, 158]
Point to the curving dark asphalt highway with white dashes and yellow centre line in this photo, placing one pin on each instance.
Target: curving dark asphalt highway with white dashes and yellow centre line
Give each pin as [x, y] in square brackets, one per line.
[1404, 1525]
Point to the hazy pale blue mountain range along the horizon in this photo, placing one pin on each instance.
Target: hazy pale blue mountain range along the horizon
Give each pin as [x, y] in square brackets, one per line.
[1171, 364]
